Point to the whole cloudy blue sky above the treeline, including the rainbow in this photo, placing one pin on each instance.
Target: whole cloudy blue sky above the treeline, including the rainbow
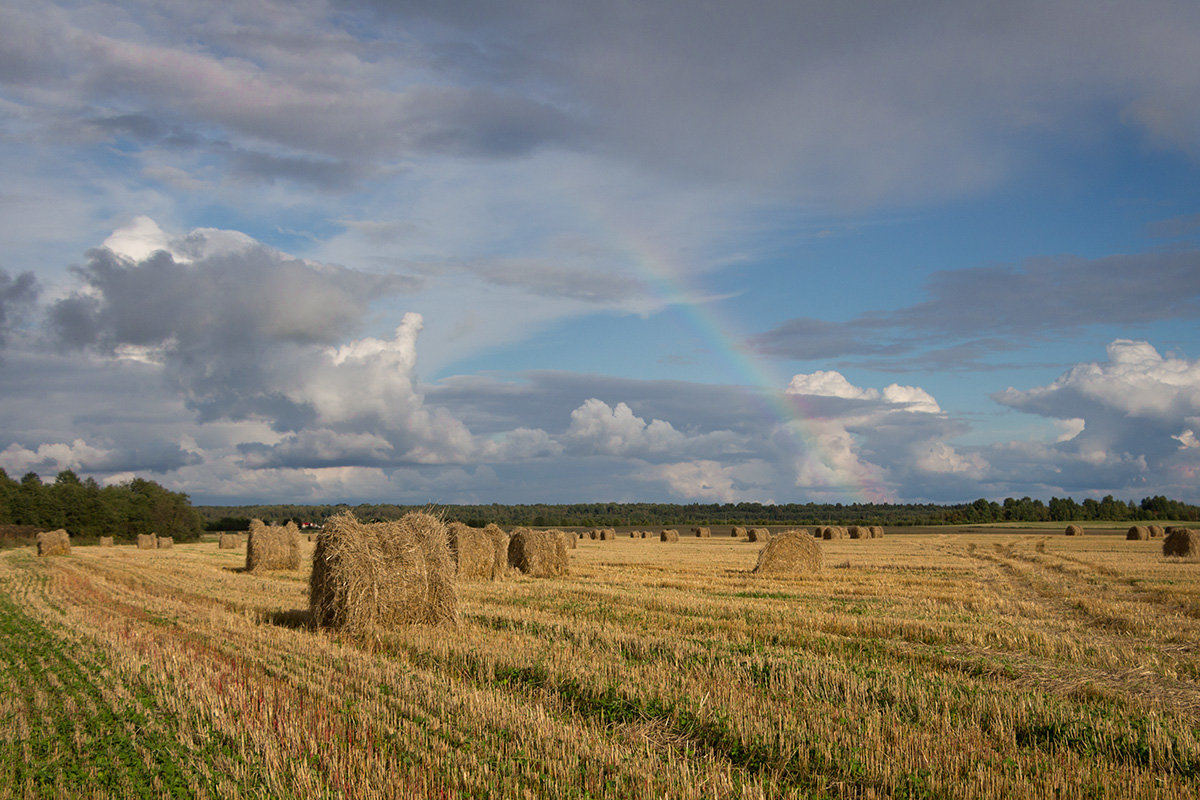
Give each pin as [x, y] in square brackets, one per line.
[327, 251]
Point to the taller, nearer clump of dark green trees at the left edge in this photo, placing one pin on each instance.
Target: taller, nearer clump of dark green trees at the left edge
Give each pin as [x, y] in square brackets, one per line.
[86, 509]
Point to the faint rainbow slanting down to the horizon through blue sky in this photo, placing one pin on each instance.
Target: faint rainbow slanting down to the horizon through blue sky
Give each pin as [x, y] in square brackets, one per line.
[789, 413]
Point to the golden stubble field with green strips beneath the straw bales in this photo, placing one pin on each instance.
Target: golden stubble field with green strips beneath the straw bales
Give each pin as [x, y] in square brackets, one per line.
[970, 665]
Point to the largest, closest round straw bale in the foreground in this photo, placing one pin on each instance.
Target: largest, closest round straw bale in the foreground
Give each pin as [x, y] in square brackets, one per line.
[381, 575]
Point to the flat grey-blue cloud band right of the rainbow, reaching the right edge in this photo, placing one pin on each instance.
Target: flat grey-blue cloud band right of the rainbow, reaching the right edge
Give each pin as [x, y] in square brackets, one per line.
[985, 311]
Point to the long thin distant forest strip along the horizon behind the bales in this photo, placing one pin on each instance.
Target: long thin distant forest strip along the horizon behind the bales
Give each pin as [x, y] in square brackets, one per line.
[614, 515]
